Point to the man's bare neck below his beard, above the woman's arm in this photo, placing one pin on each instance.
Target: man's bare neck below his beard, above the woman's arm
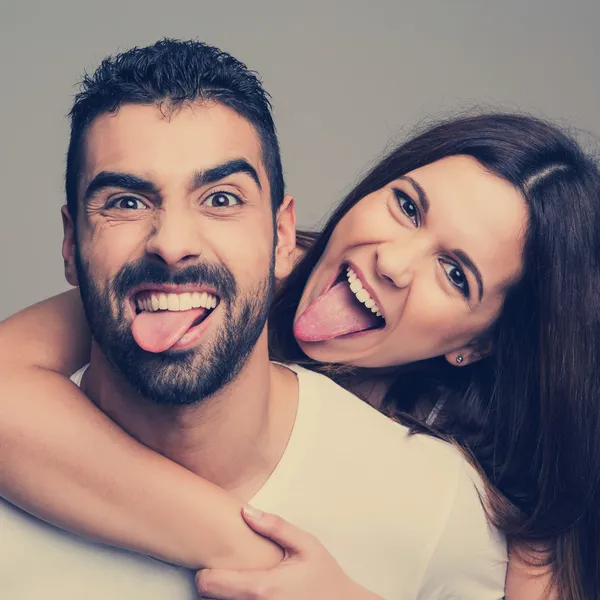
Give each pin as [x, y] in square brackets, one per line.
[234, 439]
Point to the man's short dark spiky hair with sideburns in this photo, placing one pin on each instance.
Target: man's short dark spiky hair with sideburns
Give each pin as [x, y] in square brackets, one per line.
[170, 74]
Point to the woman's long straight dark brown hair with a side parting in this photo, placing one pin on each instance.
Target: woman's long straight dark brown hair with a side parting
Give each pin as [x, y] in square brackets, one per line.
[530, 413]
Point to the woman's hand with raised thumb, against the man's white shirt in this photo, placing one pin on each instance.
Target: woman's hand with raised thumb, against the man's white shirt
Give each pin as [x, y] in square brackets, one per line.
[306, 571]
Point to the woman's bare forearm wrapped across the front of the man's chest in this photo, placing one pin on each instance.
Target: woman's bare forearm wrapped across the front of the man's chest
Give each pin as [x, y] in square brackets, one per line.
[65, 461]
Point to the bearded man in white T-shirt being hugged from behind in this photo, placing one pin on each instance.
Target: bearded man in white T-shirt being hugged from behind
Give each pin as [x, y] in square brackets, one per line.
[176, 227]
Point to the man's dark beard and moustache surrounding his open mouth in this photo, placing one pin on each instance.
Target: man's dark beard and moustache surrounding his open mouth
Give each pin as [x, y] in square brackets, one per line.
[176, 377]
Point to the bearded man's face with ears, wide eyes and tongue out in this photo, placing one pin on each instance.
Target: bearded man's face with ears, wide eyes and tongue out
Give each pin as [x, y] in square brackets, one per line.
[174, 246]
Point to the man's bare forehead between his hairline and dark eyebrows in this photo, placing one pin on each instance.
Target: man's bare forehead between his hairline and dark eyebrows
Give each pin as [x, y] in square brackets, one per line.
[146, 140]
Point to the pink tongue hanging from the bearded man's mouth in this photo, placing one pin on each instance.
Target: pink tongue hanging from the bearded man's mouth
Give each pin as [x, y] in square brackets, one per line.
[158, 331]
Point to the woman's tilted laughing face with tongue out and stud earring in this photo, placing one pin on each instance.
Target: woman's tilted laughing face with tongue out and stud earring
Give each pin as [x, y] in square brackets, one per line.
[433, 253]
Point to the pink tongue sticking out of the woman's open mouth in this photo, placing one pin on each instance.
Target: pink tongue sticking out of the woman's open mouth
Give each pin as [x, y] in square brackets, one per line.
[335, 313]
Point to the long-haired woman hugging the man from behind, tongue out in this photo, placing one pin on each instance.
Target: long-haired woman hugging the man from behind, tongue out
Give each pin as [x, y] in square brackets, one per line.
[475, 245]
